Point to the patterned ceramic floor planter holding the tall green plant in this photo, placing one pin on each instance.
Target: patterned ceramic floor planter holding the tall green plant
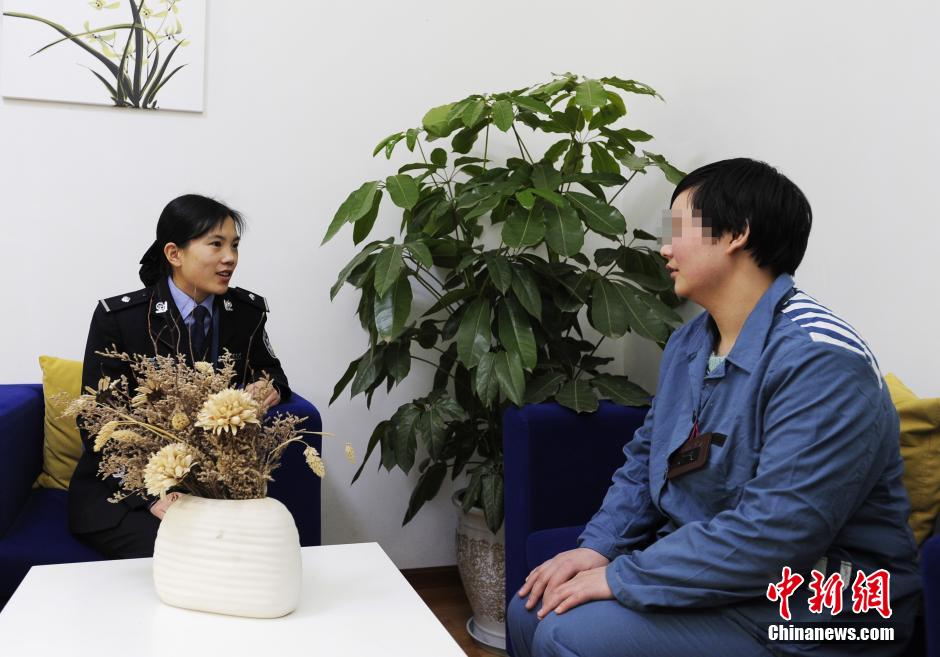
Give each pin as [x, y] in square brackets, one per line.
[481, 560]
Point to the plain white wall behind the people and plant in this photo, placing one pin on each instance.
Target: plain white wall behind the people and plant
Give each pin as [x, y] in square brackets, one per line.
[839, 95]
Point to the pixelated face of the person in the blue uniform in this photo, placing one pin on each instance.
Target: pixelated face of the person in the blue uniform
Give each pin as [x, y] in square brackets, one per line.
[694, 258]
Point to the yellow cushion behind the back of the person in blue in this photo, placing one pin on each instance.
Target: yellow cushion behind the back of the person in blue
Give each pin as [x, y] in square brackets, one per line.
[920, 449]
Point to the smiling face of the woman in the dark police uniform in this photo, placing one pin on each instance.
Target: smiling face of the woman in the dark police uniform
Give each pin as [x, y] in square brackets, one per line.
[206, 264]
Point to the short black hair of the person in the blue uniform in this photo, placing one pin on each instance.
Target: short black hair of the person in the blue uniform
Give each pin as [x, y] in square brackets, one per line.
[741, 193]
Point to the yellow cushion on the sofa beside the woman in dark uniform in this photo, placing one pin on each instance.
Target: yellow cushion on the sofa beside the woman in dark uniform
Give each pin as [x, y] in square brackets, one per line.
[62, 445]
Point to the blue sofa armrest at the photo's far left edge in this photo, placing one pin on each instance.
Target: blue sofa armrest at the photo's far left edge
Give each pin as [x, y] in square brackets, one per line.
[21, 434]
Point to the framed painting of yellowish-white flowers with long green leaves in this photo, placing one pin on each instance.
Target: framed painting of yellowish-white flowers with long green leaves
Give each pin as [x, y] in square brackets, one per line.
[141, 54]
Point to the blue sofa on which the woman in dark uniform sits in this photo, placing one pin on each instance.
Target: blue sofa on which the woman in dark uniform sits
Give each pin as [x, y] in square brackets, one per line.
[33, 521]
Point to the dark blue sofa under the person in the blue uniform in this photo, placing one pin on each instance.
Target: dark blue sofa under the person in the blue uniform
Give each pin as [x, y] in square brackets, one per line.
[558, 466]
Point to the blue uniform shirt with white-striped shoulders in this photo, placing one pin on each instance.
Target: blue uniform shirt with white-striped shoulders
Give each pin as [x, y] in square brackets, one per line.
[809, 474]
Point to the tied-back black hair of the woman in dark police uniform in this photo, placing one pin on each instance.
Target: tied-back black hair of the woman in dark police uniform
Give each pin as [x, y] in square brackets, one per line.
[183, 219]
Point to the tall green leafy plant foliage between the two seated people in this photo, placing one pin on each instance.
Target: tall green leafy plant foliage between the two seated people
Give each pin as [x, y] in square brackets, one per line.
[500, 247]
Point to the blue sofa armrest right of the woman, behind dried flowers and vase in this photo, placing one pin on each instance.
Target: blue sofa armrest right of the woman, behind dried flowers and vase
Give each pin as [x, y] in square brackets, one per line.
[294, 484]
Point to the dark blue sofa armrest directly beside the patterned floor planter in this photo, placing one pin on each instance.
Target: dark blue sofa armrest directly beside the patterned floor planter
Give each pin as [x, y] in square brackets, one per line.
[557, 468]
